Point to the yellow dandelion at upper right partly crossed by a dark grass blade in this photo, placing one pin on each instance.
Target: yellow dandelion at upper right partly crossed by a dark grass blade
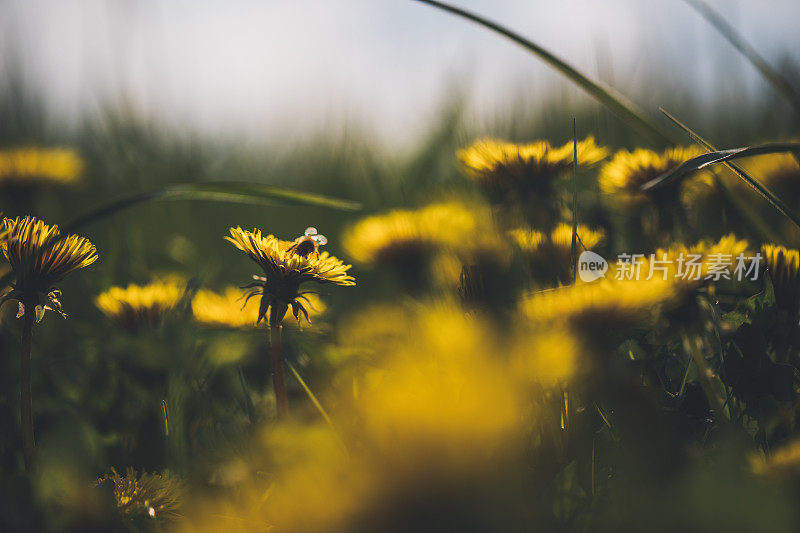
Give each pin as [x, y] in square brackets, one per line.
[622, 177]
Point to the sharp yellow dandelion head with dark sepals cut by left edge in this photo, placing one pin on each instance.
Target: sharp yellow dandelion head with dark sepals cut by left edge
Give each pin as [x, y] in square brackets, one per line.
[40, 257]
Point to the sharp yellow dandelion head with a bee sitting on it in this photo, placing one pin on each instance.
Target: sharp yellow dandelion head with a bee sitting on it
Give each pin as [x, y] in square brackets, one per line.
[285, 268]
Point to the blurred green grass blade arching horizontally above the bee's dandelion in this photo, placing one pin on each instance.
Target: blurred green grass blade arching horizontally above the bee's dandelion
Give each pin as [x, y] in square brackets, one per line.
[219, 191]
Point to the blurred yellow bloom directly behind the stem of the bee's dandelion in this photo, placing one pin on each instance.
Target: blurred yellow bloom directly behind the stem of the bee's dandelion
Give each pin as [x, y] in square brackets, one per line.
[228, 309]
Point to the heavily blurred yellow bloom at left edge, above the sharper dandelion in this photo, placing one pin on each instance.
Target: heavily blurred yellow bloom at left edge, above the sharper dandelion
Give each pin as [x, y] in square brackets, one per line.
[28, 166]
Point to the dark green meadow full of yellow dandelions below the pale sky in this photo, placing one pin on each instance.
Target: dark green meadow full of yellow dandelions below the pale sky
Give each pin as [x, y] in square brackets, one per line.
[459, 376]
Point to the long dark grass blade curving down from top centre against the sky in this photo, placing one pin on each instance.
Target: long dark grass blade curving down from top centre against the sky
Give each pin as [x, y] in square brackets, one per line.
[607, 96]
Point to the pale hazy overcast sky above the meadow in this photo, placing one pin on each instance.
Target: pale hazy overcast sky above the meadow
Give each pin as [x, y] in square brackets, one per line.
[275, 67]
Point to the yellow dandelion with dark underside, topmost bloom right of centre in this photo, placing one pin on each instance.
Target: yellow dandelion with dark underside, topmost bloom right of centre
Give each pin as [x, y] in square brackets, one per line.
[501, 166]
